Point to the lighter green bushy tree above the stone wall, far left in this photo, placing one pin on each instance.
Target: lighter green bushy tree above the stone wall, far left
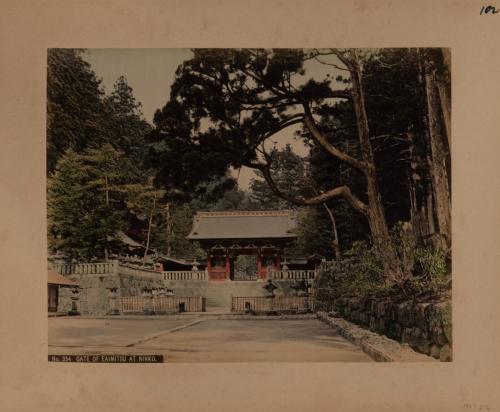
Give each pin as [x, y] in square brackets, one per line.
[82, 208]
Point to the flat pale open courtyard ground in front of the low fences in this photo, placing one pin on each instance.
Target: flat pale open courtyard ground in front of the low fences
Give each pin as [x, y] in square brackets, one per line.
[192, 338]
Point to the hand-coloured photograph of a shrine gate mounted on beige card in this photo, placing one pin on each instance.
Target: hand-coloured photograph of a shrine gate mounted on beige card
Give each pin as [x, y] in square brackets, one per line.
[249, 205]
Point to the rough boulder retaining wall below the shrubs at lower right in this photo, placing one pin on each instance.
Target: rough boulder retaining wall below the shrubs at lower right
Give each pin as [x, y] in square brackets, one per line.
[426, 327]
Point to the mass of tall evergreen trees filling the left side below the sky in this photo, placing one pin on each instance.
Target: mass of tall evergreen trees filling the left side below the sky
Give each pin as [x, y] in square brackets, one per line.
[95, 146]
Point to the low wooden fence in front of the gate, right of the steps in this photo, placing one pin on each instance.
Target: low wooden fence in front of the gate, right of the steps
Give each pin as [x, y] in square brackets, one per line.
[263, 303]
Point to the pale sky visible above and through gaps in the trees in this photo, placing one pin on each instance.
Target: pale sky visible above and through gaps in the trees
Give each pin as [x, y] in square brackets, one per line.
[151, 72]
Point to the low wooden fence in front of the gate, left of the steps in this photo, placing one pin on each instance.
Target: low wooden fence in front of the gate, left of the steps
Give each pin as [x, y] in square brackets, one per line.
[167, 304]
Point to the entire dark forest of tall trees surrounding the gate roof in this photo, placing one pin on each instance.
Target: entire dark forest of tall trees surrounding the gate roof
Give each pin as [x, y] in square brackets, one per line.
[377, 178]
